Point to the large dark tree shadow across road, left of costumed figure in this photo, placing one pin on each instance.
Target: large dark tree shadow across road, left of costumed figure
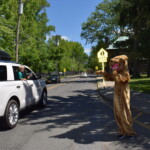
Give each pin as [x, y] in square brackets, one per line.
[94, 120]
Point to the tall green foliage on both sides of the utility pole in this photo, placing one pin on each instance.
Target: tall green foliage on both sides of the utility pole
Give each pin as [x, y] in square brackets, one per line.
[33, 32]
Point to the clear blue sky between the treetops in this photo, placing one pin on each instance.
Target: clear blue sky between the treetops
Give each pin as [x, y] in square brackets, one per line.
[68, 15]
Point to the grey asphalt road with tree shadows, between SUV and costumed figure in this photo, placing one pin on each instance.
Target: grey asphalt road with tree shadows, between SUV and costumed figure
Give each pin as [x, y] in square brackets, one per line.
[76, 118]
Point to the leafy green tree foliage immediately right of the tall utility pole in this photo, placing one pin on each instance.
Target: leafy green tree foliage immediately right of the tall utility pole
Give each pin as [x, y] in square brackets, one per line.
[33, 33]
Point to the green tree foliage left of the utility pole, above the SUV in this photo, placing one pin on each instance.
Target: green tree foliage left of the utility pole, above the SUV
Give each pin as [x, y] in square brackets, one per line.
[8, 21]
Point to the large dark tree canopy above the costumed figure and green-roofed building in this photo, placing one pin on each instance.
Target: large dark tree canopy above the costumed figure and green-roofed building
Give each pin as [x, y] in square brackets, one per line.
[114, 18]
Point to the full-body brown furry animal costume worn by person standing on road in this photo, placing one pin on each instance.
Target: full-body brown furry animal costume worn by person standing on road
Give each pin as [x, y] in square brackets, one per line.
[121, 94]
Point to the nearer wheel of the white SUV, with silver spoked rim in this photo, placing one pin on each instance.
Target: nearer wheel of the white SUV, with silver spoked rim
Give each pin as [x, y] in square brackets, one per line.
[11, 115]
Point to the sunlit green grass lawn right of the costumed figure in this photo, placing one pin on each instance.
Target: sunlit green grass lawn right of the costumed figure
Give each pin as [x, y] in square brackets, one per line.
[140, 84]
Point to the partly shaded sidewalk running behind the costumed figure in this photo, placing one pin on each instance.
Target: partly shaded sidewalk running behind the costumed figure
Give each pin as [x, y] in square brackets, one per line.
[139, 101]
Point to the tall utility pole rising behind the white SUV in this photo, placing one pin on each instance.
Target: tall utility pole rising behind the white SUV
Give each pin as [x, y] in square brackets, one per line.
[20, 12]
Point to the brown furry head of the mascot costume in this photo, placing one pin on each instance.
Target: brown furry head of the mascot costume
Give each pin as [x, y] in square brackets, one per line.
[119, 63]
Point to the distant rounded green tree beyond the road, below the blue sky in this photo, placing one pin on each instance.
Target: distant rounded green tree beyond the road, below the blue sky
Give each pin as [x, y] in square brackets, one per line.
[68, 54]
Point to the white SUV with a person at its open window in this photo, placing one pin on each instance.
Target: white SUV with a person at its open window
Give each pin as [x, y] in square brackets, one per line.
[16, 94]
